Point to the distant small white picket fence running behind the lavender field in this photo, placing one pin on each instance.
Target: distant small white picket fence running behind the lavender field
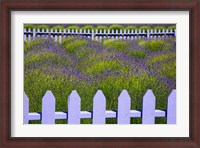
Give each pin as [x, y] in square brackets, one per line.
[59, 35]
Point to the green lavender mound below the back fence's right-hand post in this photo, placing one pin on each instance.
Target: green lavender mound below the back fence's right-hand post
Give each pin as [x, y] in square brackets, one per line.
[157, 45]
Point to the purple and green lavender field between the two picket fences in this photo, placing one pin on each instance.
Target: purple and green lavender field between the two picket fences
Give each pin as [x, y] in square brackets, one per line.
[111, 66]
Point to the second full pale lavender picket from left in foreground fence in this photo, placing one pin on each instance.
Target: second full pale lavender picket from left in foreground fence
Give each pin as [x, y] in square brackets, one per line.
[74, 105]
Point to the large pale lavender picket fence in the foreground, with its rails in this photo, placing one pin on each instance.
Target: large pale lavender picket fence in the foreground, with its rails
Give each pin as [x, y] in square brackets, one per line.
[99, 113]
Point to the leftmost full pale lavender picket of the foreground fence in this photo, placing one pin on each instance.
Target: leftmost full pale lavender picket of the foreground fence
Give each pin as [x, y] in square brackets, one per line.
[48, 108]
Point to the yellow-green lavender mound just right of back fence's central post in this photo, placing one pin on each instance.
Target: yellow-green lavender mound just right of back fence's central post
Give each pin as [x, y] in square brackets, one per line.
[119, 45]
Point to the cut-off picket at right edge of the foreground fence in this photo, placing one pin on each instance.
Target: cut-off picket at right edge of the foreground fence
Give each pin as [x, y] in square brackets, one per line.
[171, 108]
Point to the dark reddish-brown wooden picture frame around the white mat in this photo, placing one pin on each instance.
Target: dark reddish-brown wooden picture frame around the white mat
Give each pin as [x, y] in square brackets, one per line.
[193, 141]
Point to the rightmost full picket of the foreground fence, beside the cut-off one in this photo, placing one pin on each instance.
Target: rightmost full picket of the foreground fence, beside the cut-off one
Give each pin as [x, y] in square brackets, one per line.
[148, 108]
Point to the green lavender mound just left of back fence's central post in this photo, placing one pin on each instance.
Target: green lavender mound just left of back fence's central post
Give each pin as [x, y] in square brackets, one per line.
[72, 46]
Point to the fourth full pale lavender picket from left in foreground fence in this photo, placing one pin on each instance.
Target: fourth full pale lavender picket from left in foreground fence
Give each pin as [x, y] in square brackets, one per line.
[123, 114]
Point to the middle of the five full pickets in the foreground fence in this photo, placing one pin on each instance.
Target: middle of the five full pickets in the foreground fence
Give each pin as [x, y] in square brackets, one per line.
[99, 108]
